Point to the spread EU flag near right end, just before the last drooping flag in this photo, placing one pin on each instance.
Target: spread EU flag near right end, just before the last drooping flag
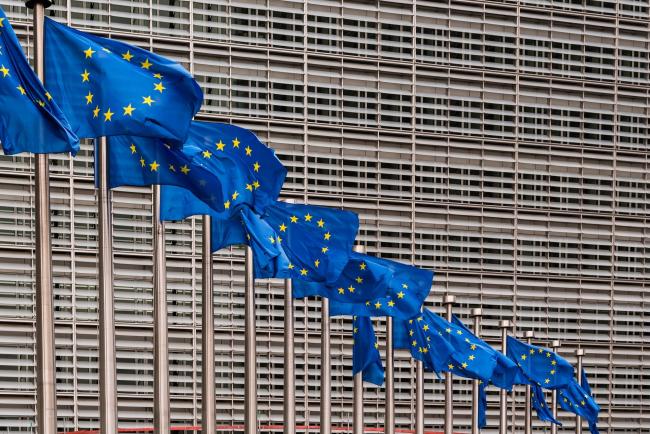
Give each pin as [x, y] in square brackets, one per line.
[539, 365]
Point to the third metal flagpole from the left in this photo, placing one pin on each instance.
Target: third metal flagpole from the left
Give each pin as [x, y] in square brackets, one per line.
[160, 340]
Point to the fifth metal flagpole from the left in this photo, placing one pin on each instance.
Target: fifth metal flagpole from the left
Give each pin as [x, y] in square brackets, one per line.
[250, 350]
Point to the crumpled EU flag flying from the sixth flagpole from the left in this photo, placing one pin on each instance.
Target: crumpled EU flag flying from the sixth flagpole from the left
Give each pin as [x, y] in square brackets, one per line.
[363, 278]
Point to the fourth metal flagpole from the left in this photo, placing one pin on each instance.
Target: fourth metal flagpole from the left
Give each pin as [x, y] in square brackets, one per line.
[208, 422]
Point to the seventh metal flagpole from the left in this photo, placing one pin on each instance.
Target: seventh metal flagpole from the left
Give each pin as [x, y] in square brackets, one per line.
[325, 369]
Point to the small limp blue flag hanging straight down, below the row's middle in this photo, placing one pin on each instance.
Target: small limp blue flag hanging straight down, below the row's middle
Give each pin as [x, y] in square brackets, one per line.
[365, 352]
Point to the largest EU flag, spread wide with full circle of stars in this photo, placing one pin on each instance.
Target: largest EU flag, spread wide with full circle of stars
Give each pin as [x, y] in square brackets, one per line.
[107, 87]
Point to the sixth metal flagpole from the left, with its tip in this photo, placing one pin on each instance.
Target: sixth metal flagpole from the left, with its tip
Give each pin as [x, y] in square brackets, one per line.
[289, 358]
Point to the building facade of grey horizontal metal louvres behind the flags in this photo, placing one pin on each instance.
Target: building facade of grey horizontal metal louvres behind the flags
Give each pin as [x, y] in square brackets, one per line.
[504, 144]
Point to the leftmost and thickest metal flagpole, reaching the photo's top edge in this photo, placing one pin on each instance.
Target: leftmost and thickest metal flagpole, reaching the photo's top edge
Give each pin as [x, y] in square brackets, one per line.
[45, 344]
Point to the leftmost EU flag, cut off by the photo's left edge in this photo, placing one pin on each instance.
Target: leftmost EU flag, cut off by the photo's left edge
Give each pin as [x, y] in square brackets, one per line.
[30, 120]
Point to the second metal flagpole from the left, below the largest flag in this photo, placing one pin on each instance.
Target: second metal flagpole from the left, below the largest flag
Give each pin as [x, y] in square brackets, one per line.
[107, 369]
